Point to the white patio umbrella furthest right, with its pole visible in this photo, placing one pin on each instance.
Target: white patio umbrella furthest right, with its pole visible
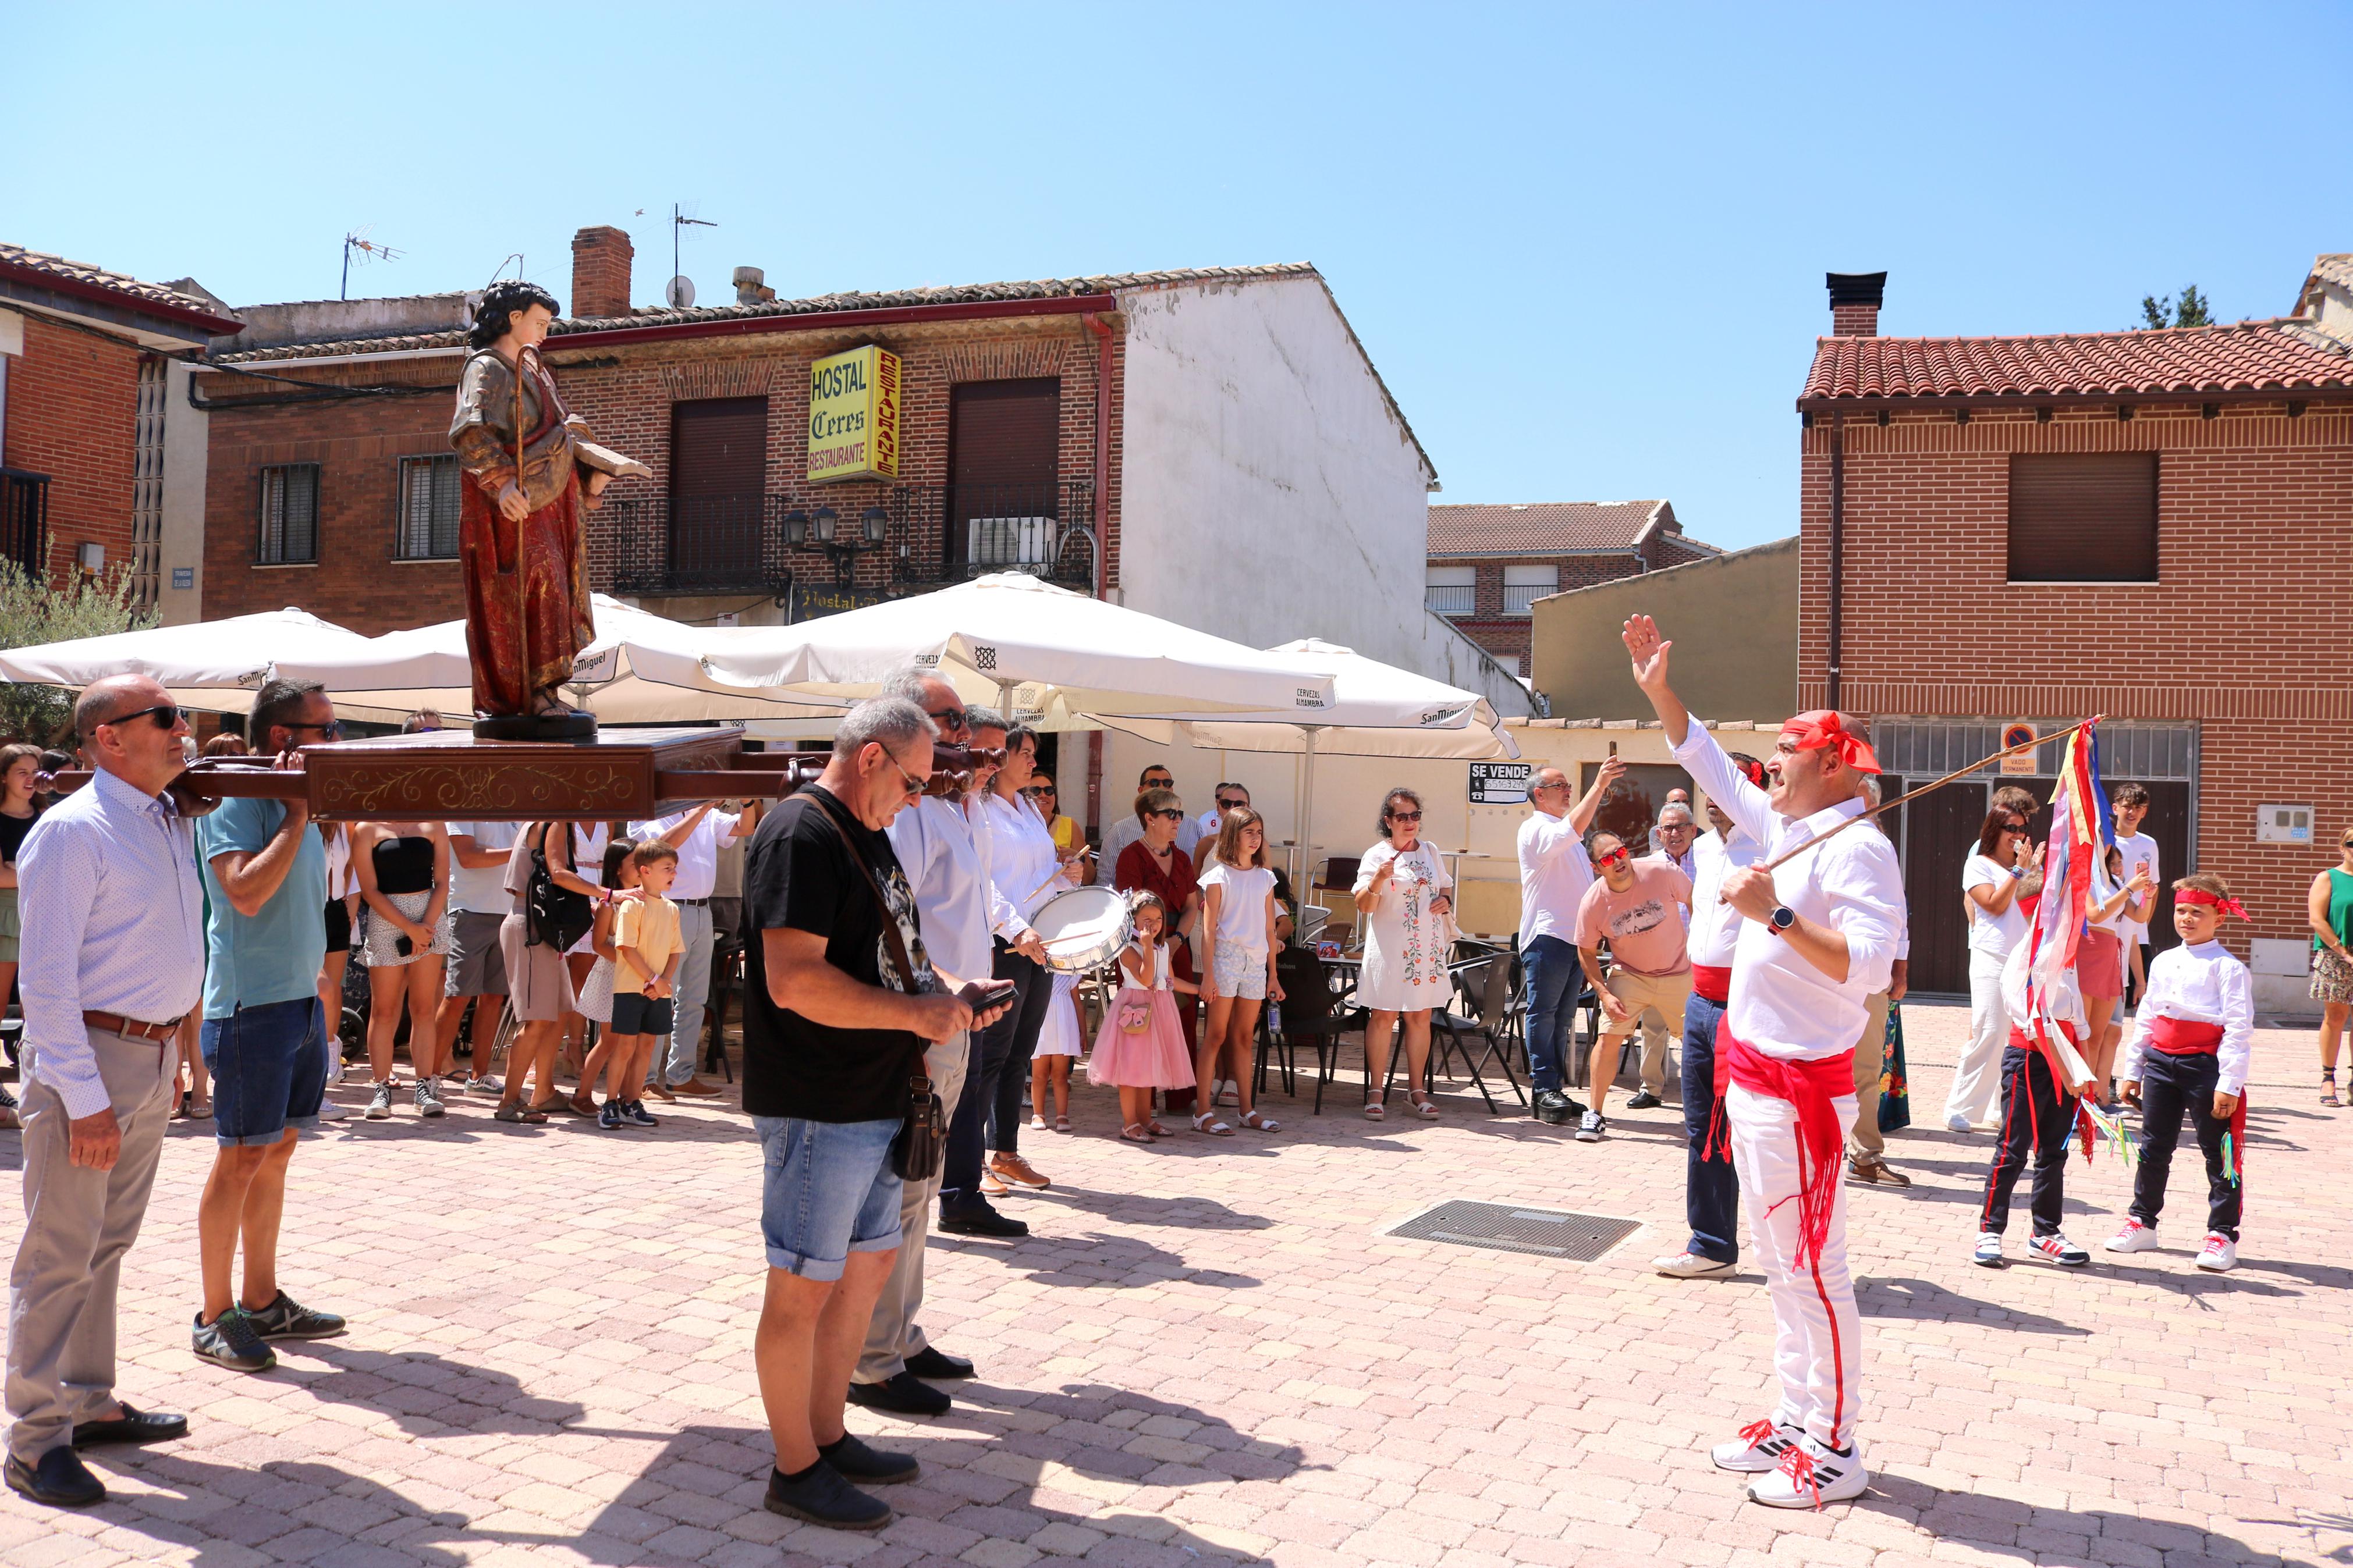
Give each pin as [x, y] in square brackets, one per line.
[1378, 711]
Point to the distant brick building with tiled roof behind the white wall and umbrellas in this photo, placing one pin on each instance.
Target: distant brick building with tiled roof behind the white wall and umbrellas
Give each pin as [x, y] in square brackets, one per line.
[1493, 563]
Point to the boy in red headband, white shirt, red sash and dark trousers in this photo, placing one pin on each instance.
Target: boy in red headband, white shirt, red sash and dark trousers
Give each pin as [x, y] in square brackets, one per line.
[2189, 1052]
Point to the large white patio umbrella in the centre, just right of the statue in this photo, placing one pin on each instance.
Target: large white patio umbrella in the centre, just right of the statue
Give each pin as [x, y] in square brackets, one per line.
[1013, 641]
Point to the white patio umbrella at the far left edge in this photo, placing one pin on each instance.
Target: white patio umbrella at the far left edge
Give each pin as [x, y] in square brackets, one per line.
[208, 664]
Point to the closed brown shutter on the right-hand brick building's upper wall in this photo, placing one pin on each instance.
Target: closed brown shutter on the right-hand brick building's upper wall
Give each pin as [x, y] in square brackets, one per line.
[2084, 518]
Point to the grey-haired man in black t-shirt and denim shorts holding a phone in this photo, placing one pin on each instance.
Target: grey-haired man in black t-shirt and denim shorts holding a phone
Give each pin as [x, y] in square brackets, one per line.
[841, 1000]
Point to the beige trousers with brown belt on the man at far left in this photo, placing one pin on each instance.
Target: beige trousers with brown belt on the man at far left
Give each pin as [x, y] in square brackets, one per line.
[76, 1228]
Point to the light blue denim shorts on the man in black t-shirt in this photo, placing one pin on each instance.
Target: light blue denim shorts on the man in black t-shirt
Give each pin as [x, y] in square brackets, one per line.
[827, 1193]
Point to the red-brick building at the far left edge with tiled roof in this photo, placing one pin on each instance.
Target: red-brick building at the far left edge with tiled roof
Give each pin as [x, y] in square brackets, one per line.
[86, 380]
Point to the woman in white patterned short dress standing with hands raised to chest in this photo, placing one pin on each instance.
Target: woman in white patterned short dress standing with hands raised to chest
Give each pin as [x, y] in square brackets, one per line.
[1408, 899]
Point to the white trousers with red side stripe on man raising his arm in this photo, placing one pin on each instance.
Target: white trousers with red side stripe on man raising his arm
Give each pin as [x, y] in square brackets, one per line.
[1818, 1332]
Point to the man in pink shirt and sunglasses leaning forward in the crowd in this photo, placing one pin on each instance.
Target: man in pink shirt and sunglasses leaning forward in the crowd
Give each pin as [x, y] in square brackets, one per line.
[1641, 911]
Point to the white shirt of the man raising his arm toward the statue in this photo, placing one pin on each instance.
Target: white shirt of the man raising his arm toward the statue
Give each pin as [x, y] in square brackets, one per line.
[1780, 1003]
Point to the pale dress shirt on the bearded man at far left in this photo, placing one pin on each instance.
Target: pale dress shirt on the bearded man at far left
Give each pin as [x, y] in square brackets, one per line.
[114, 923]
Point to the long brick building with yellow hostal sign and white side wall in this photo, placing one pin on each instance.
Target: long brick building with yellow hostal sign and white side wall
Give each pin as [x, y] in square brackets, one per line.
[1201, 445]
